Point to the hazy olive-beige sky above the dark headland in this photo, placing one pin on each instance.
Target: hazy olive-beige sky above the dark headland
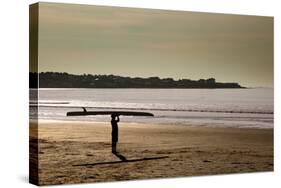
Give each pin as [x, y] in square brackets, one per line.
[143, 42]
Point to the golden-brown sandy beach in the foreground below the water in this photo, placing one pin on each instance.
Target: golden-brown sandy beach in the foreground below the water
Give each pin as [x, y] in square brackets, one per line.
[80, 152]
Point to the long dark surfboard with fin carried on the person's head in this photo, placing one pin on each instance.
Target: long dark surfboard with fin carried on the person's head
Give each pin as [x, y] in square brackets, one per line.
[117, 113]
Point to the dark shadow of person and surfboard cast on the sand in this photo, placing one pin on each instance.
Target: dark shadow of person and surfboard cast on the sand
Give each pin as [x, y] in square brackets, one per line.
[123, 160]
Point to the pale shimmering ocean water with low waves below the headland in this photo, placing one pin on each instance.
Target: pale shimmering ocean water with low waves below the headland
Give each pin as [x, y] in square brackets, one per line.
[242, 108]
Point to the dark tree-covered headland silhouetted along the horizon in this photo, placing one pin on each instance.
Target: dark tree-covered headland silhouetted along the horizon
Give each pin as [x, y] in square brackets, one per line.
[65, 80]
